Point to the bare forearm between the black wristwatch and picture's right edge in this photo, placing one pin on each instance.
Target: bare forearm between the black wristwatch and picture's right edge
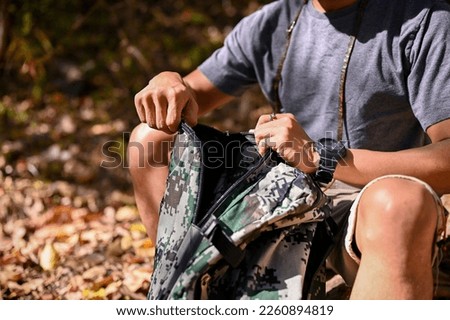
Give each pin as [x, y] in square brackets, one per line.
[430, 164]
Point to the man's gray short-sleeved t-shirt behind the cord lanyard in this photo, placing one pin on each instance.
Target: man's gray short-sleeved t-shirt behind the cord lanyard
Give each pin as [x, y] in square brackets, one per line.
[398, 81]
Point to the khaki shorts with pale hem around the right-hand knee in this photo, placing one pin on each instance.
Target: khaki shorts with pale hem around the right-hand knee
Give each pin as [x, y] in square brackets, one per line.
[345, 258]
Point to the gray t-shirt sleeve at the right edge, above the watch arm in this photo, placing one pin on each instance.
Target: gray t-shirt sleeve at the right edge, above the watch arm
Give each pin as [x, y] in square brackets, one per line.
[429, 58]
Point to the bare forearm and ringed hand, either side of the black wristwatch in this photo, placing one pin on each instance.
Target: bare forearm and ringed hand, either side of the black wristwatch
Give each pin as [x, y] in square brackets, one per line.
[430, 163]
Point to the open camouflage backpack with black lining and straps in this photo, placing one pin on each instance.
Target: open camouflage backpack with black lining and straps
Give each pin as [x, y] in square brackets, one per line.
[235, 225]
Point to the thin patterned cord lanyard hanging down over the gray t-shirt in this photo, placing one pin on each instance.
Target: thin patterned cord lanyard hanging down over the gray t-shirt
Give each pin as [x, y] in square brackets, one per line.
[351, 44]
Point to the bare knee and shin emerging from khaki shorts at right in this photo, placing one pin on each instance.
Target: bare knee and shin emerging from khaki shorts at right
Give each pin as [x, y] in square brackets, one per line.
[395, 233]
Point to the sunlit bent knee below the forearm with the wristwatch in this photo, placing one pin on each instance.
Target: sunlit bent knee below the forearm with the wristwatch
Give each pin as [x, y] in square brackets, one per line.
[396, 212]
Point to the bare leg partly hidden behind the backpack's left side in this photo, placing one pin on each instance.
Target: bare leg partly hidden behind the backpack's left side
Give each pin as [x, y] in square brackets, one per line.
[148, 154]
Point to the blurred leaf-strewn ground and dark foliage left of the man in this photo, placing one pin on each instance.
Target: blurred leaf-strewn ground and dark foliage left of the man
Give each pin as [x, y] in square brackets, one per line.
[69, 71]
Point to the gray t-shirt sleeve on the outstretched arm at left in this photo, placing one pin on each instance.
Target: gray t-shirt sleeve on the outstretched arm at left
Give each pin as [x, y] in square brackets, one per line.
[248, 52]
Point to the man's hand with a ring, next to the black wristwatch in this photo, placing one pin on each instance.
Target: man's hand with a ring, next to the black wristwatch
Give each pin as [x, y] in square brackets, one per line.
[283, 134]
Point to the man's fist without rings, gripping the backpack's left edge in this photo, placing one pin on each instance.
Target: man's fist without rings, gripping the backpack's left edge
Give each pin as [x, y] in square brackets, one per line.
[164, 101]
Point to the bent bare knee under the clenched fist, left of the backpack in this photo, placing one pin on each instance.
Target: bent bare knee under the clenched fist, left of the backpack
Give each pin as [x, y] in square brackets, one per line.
[148, 148]
